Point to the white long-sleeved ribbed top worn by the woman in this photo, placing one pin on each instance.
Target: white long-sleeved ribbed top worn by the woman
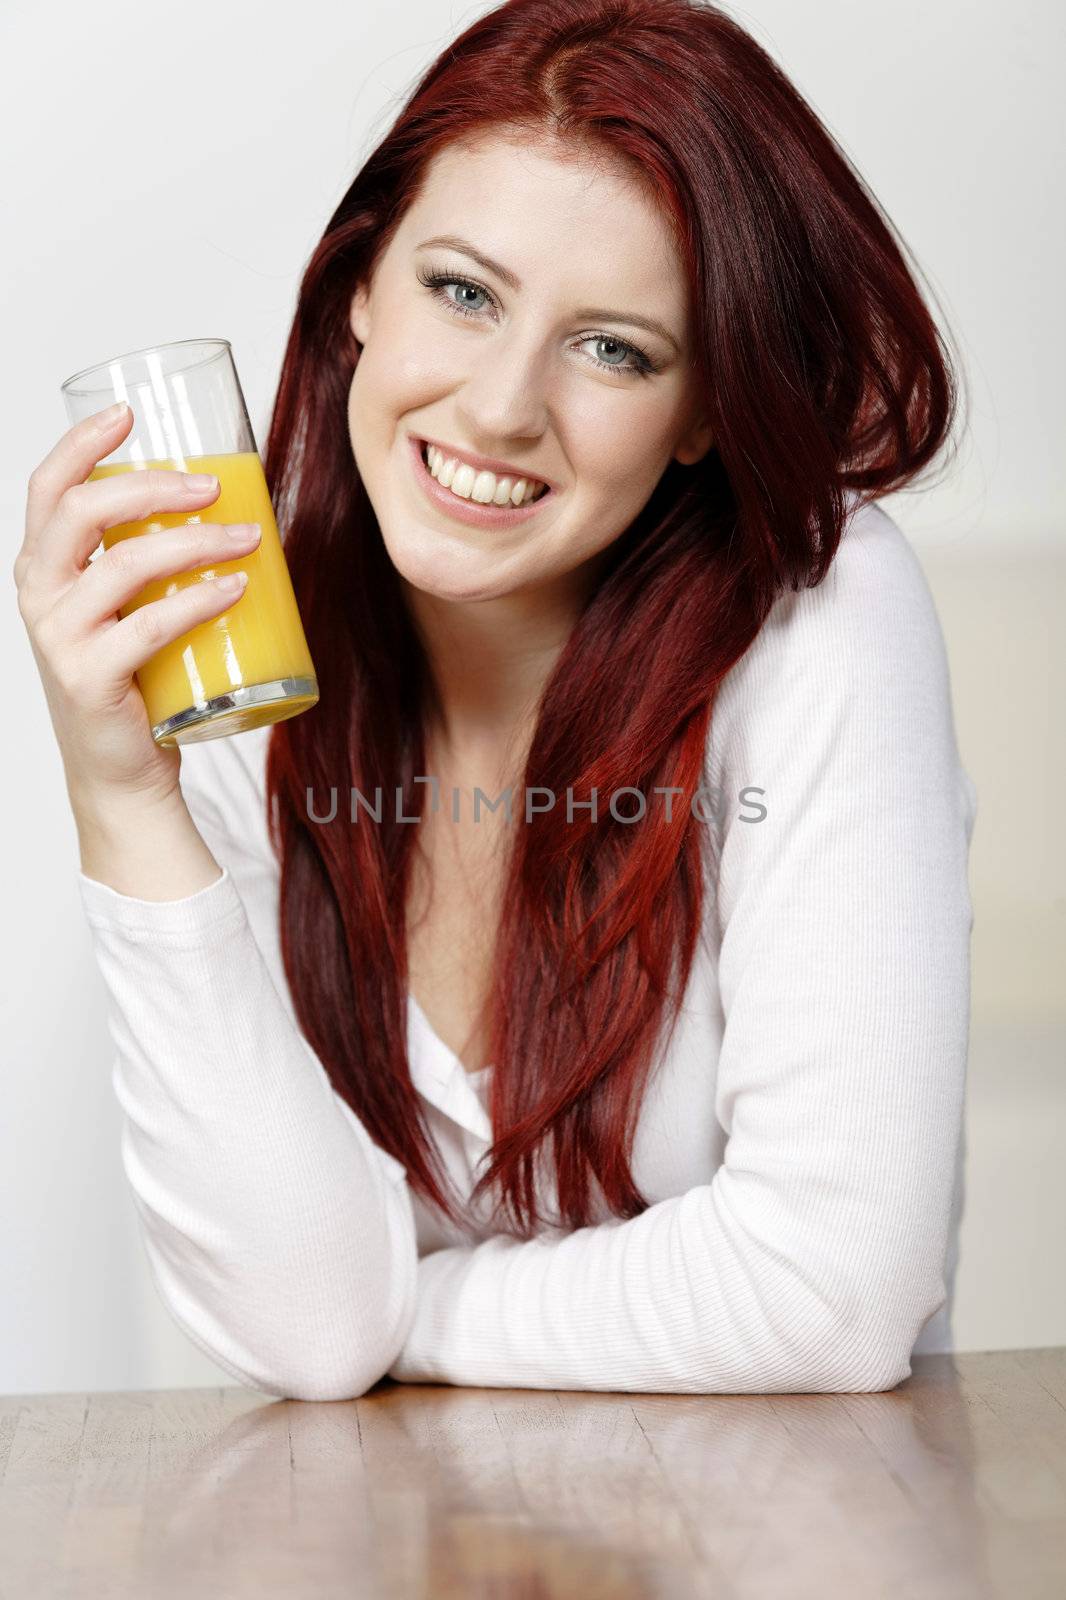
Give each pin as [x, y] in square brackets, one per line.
[801, 1143]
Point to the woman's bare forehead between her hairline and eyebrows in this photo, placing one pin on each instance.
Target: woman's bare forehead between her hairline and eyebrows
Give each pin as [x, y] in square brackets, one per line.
[553, 214]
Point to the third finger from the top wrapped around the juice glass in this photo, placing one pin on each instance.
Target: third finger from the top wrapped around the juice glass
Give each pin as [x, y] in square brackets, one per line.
[122, 574]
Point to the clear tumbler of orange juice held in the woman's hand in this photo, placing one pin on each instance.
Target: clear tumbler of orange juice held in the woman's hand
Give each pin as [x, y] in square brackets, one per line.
[247, 666]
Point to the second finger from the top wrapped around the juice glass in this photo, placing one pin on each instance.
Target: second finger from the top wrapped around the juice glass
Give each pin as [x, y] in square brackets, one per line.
[86, 511]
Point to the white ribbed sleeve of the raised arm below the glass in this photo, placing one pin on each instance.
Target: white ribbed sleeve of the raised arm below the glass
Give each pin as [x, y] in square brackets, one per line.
[279, 1236]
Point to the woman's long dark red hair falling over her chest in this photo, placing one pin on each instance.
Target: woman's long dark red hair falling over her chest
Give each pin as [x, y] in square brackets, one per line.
[822, 372]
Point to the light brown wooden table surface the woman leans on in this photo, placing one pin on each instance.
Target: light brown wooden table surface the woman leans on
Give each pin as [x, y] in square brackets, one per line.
[953, 1484]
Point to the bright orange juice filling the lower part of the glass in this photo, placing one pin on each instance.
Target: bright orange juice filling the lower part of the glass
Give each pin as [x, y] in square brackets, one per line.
[246, 666]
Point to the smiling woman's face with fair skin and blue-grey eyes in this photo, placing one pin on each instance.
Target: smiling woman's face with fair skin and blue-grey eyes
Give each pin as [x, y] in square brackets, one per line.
[543, 374]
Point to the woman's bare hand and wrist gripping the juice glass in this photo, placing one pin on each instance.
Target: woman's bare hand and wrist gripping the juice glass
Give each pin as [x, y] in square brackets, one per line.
[86, 652]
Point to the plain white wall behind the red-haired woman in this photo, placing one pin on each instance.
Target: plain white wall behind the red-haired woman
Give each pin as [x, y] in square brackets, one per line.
[170, 170]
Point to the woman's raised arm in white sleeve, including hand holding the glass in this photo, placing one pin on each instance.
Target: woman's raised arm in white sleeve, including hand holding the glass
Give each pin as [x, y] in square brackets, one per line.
[279, 1236]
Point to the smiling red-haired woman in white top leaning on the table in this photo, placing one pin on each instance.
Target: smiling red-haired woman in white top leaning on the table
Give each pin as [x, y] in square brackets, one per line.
[655, 1095]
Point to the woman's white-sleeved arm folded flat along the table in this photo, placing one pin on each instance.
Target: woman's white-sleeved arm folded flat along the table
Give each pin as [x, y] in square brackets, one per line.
[817, 1254]
